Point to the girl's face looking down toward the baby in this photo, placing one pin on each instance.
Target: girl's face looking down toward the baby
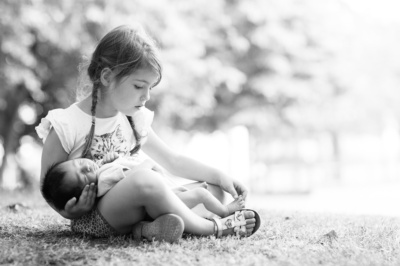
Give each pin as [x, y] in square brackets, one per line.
[132, 92]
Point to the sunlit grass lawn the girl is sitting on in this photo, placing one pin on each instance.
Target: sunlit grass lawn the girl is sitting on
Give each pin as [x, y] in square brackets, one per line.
[33, 234]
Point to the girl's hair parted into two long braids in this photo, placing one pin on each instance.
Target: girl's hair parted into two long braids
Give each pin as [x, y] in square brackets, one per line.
[123, 50]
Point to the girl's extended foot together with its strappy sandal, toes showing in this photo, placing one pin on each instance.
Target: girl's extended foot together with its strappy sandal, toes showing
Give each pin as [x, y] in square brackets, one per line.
[242, 223]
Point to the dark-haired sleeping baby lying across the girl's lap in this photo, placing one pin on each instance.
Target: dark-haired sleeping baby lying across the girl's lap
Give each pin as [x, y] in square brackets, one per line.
[66, 180]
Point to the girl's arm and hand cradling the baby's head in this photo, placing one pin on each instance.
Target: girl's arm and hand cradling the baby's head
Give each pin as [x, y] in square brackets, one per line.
[53, 153]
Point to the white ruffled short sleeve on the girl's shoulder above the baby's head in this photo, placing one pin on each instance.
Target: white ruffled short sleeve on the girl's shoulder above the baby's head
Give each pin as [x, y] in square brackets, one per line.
[62, 123]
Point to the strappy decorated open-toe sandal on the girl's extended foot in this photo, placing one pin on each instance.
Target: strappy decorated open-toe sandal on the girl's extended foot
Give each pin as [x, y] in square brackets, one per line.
[236, 221]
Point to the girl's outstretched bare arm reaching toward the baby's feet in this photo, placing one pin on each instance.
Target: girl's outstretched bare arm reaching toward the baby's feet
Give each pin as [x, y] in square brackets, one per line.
[189, 168]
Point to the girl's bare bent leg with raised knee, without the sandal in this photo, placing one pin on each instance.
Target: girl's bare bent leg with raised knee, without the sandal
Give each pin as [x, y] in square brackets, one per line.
[144, 191]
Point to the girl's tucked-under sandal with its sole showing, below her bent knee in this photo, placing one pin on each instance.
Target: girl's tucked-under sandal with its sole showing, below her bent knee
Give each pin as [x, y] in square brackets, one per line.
[168, 228]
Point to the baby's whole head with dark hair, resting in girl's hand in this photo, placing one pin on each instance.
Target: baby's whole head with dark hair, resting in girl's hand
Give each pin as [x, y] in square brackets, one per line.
[66, 180]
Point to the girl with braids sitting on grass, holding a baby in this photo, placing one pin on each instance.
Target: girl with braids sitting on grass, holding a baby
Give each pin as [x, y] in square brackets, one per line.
[123, 69]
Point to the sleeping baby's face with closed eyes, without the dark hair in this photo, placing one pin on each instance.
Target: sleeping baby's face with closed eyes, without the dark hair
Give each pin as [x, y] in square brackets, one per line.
[82, 171]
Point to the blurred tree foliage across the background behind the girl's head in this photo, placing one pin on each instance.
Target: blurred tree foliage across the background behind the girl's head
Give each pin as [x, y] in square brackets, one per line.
[279, 67]
